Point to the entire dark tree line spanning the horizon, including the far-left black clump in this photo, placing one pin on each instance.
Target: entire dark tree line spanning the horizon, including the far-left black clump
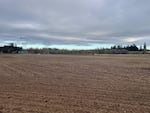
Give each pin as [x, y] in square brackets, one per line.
[117, 49]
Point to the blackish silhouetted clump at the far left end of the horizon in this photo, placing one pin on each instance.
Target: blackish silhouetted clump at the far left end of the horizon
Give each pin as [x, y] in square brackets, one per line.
[10, 49]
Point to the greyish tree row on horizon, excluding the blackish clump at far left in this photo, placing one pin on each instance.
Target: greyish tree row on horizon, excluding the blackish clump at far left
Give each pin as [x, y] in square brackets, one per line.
[113, 50]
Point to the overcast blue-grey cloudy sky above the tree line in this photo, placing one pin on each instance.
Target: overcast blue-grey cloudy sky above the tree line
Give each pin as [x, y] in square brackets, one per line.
[74, 22]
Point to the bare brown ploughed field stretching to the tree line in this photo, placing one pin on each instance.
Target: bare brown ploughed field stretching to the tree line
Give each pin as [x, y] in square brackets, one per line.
[74, 84]
